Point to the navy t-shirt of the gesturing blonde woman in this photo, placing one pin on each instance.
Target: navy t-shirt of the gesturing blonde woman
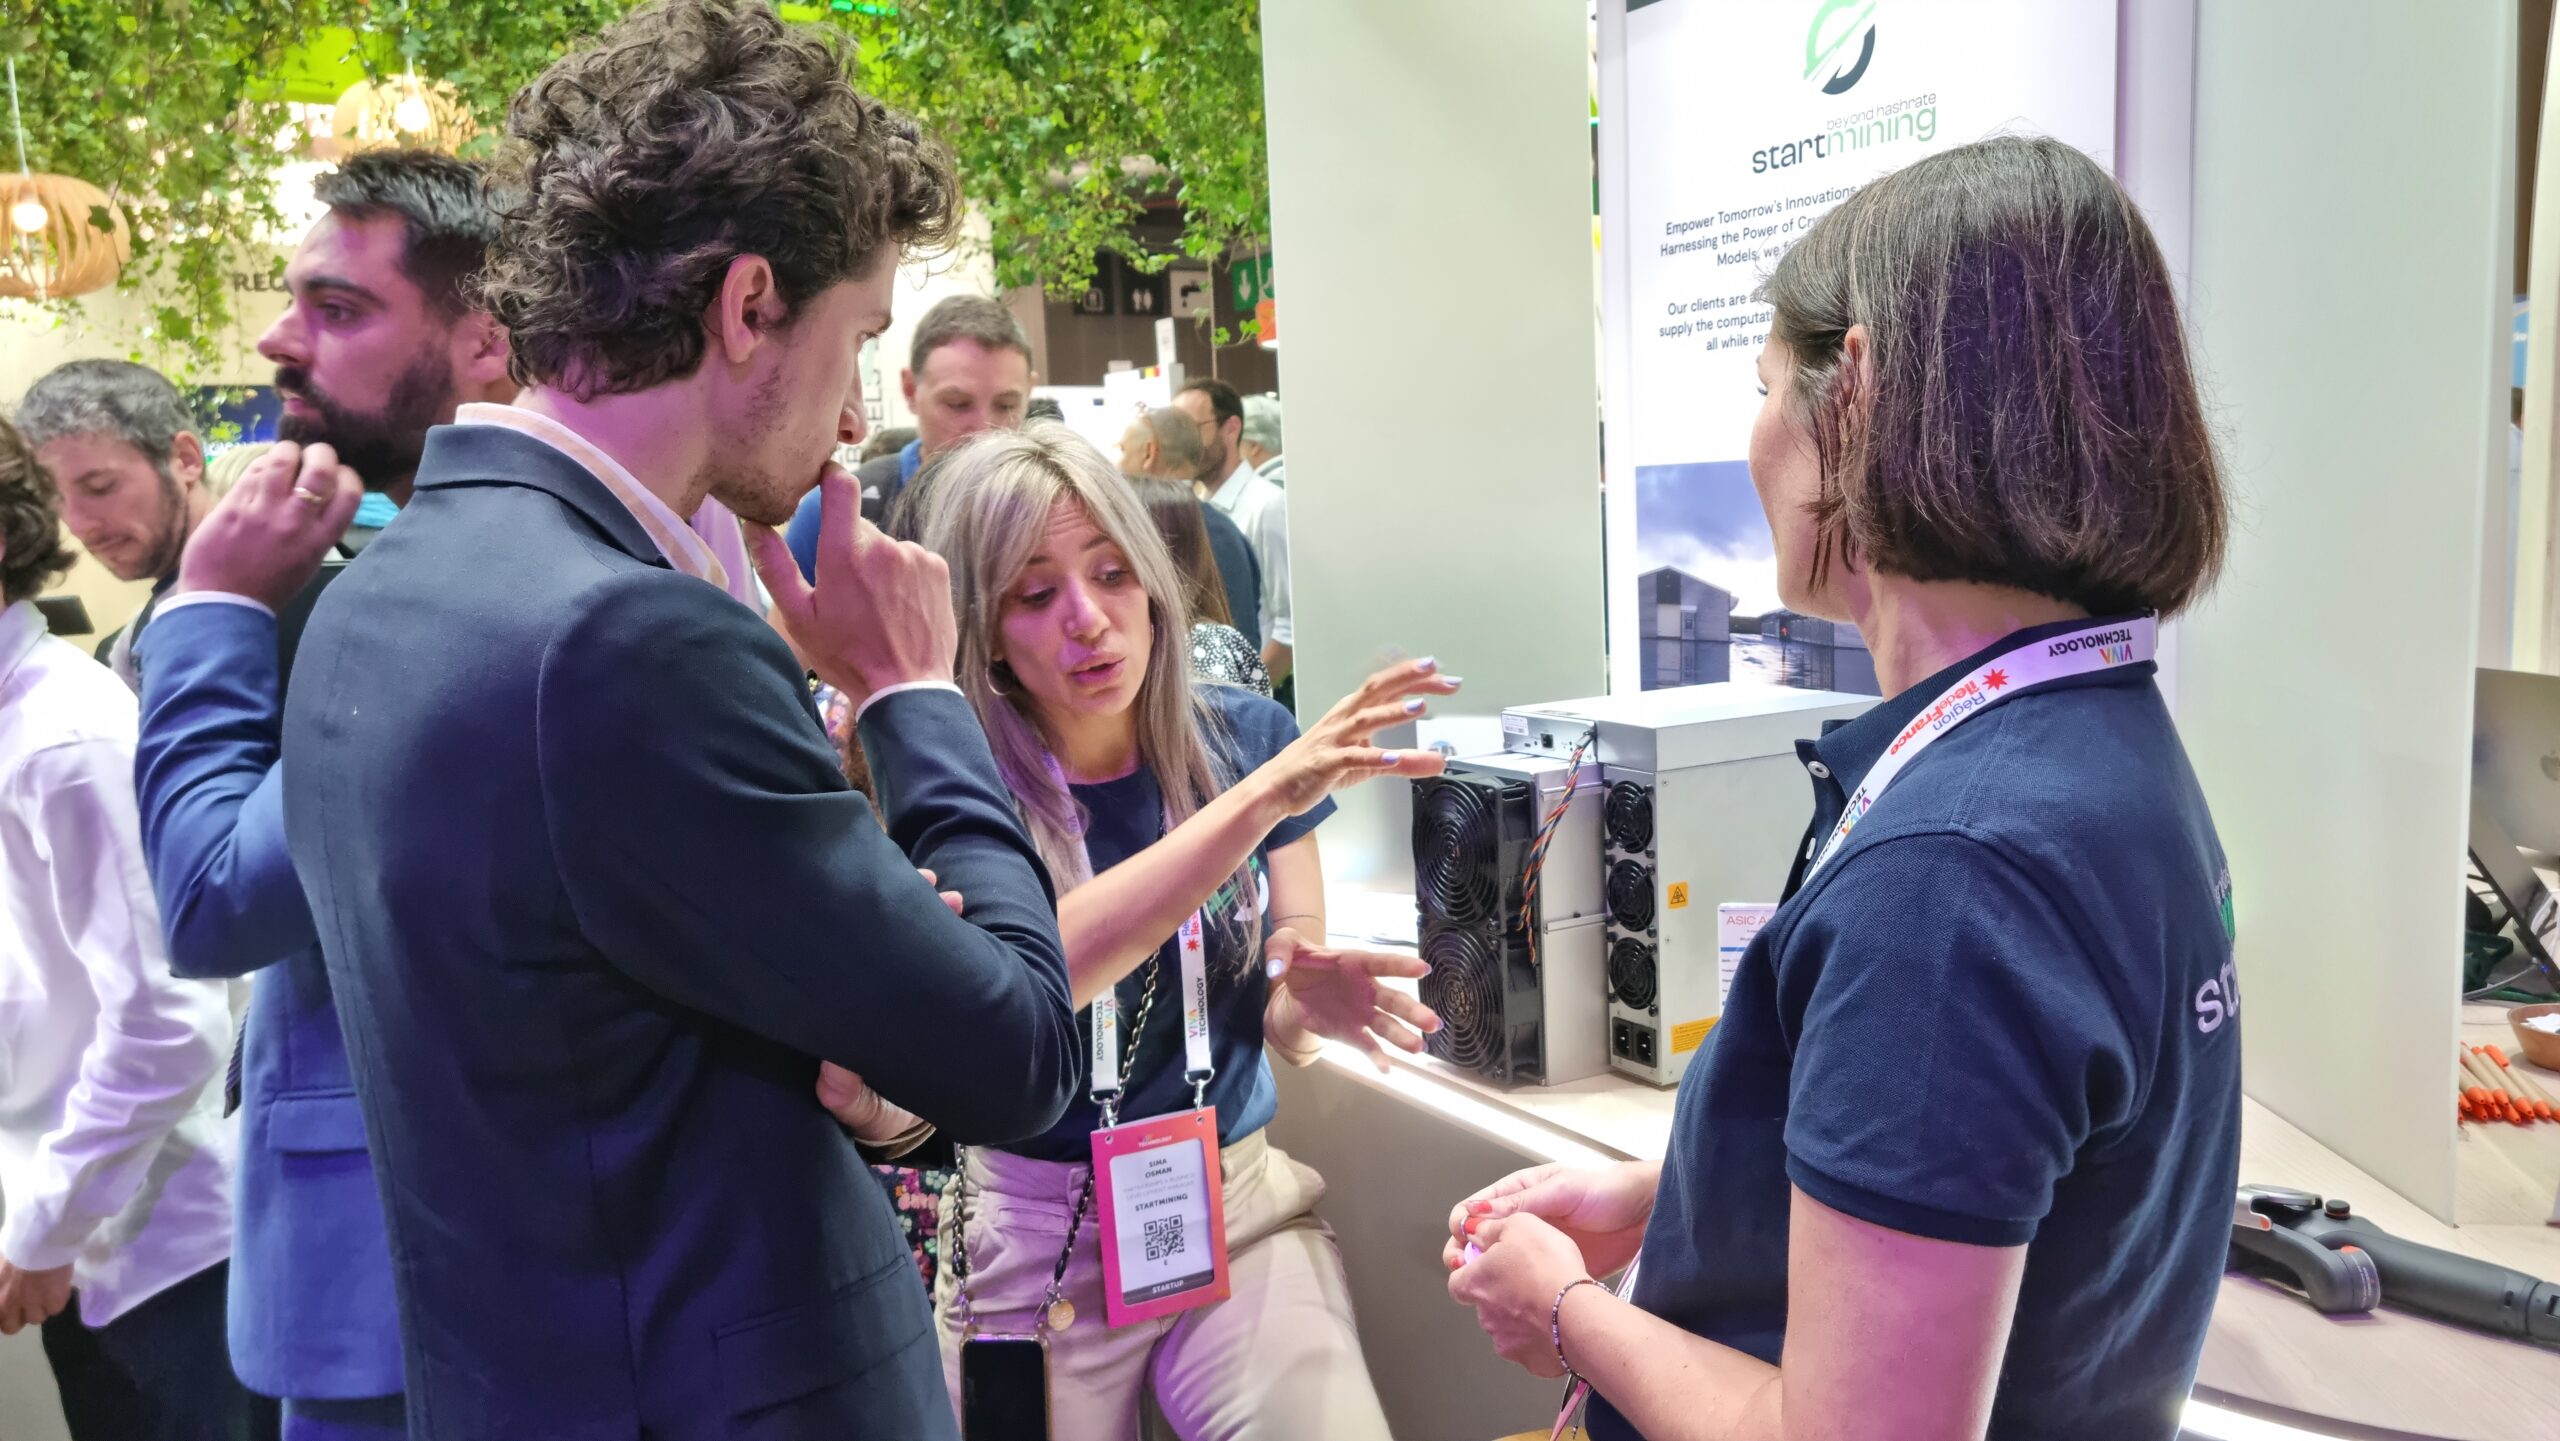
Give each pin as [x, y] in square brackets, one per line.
[1125, 818]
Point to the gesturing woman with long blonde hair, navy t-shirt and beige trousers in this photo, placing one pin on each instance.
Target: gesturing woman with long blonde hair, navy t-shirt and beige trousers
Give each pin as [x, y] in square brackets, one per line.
[1169, 813]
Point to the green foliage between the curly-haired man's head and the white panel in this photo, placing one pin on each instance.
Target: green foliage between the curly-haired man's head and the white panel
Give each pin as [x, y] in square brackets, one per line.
[1043, 101]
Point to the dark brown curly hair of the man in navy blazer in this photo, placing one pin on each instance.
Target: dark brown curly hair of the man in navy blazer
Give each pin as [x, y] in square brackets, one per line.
[690, 134]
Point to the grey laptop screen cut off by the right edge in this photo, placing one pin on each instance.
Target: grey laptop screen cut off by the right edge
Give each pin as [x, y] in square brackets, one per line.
[2515, 795]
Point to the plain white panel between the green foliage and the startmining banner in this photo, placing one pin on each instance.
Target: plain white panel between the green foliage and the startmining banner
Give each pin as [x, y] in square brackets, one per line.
[1432, 193]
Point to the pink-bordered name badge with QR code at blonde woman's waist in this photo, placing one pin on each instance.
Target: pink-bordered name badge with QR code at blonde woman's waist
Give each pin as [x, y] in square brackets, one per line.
[1164, 1214]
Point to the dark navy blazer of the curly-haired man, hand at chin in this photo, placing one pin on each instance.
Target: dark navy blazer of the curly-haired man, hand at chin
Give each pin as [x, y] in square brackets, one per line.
[595, 900]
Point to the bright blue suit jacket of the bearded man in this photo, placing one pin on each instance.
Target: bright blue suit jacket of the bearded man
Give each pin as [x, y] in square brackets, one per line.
[311, 1276]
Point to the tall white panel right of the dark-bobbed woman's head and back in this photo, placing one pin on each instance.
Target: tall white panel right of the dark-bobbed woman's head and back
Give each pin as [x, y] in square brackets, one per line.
[2351, 306]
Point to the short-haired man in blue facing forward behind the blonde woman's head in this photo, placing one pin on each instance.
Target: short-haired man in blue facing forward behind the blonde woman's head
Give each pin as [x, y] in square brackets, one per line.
[969, 370]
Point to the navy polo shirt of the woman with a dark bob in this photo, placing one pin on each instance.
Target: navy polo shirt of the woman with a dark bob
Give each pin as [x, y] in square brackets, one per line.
[2003, 1015]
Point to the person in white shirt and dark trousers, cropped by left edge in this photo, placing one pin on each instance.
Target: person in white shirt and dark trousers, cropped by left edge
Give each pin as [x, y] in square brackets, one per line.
[114, 1156]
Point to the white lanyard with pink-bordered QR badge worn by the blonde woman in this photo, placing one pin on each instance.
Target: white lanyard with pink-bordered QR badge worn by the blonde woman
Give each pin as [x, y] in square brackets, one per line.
[1161, 1197]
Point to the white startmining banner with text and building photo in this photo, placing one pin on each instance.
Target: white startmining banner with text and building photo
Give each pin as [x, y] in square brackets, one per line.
[1742, 124]
